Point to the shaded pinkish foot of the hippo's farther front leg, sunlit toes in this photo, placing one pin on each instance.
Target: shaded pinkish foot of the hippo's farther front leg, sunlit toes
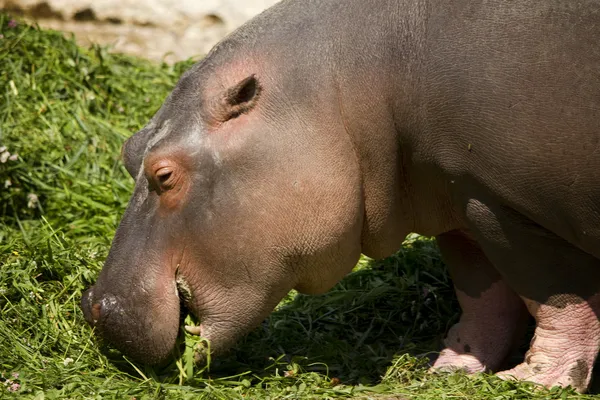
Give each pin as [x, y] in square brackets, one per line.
[485, 334]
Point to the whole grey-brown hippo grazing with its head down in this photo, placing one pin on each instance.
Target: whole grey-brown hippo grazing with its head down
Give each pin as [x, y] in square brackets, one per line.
[326, 128]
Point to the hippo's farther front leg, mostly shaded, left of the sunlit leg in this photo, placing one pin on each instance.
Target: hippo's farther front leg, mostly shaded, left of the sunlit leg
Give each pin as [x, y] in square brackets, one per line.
[493, 316]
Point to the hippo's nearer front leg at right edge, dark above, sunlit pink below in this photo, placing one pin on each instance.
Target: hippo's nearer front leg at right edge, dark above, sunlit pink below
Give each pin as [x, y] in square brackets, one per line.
[559, 283]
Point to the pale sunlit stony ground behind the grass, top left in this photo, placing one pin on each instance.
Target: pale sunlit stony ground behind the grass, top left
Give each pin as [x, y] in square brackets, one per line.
[162, 30]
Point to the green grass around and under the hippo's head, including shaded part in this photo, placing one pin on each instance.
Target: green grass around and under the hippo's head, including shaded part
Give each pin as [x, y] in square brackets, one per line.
[65, 112]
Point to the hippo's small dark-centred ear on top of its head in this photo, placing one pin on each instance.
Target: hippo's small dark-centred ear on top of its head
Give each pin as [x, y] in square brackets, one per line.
[237, 100]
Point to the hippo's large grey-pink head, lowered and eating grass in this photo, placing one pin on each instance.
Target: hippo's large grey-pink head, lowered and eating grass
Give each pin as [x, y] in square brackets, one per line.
[246, 186]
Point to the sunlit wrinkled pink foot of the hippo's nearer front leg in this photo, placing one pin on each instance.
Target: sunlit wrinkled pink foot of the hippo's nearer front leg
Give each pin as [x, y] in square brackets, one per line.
[565, 344]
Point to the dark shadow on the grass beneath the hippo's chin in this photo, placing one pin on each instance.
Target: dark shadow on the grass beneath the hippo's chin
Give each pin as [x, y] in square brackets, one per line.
[402, 304]
